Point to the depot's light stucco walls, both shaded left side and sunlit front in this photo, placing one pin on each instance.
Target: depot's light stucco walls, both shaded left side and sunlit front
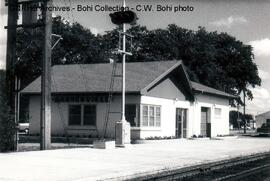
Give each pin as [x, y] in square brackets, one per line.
[219, 126]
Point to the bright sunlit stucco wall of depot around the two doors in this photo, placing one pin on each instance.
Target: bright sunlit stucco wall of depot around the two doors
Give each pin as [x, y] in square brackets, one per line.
[219, 125]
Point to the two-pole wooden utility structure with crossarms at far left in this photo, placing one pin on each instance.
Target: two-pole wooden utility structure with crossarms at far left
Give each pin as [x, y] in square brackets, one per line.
[29, 21]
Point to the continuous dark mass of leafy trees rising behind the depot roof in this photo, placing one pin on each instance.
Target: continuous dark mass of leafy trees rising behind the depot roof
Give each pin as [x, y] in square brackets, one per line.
[214, 59]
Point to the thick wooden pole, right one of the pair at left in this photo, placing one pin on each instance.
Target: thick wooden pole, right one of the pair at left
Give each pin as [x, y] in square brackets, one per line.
[45, 122]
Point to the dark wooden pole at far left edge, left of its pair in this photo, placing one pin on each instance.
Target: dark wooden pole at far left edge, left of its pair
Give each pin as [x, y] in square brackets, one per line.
[11, 59]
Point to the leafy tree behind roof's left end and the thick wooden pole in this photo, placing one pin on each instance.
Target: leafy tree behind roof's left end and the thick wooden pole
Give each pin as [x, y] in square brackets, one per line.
[79, 45]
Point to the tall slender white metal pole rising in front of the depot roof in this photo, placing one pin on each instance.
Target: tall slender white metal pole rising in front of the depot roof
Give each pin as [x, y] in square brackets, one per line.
[124, 69]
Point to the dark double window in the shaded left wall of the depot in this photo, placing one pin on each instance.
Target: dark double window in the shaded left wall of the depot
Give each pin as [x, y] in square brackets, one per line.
[82, 115]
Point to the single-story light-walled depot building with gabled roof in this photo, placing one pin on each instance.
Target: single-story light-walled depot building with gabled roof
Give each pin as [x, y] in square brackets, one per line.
[161, 101]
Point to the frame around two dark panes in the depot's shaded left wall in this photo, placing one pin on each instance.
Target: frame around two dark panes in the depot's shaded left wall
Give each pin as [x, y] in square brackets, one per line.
[82, 115]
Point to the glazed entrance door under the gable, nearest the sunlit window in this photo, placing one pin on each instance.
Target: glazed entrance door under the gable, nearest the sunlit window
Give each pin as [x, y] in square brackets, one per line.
[181, 123]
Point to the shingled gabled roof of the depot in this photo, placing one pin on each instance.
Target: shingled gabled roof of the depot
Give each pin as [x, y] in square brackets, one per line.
[95, 78]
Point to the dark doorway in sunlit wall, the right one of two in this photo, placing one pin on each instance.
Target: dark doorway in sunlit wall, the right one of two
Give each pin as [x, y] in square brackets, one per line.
[205, 122]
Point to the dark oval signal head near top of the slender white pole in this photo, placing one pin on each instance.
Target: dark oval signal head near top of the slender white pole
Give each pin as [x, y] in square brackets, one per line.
[121, 17]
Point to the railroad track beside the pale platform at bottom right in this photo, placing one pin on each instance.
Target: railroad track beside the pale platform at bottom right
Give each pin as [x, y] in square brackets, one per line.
[225, 170]
